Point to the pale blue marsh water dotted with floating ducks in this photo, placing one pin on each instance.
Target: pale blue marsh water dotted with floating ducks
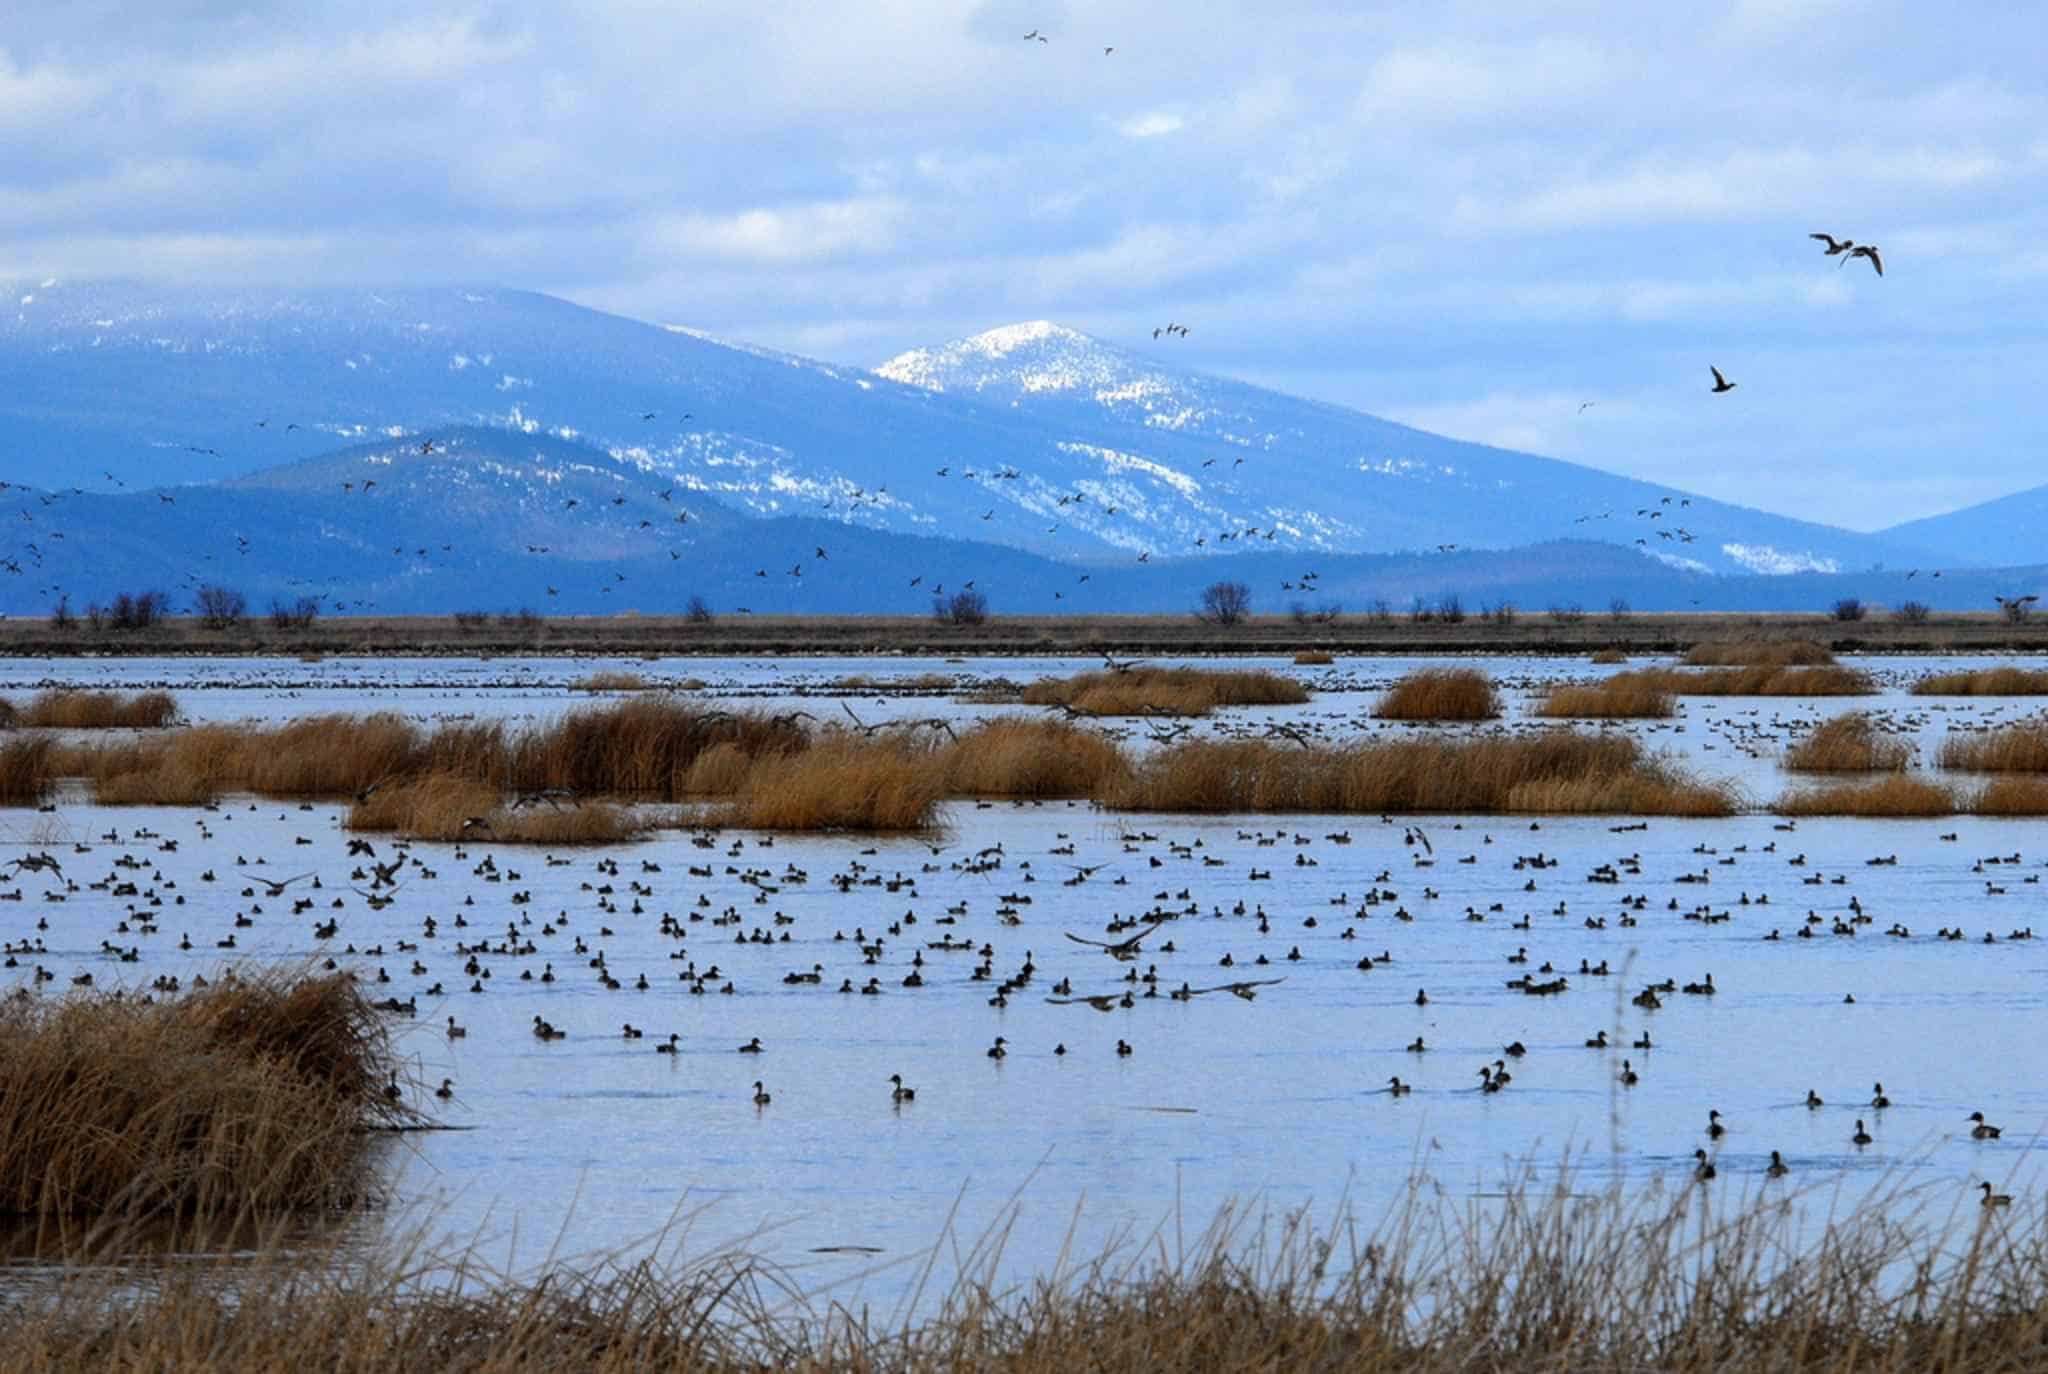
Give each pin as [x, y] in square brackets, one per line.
[597, 1144]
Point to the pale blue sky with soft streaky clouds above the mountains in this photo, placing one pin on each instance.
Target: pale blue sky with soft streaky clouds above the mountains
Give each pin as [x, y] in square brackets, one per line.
[1471, 218]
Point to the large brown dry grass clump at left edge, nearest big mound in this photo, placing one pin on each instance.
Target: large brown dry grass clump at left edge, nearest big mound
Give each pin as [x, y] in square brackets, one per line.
[245, 1097]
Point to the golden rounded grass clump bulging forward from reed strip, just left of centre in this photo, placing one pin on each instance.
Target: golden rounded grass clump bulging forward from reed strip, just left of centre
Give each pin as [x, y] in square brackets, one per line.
[841, 783]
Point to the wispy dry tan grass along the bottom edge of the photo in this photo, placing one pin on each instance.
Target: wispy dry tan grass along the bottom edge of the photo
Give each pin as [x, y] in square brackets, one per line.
[1695, 1281]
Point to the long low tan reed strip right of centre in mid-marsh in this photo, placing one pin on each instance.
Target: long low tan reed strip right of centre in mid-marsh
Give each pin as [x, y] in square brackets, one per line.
[1560, 773]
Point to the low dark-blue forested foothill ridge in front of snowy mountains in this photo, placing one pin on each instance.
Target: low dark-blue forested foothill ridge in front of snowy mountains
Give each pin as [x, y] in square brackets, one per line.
[493, 519]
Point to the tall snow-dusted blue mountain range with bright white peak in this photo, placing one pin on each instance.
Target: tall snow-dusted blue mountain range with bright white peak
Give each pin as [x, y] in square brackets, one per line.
[1031, 437]
